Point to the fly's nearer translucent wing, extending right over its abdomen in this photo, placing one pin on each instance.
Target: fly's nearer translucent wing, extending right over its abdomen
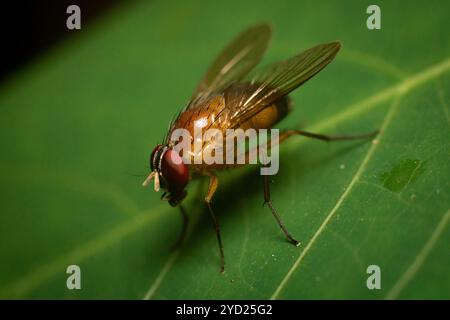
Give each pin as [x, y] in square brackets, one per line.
[279, 79]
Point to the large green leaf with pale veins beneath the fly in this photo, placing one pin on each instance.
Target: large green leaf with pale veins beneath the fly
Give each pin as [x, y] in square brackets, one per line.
[77, 122]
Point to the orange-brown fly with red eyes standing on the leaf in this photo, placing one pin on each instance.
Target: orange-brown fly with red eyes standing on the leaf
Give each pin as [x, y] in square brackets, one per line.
[231, 97]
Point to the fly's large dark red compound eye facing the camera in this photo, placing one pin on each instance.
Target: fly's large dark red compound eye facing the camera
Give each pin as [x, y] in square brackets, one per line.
[174, 171]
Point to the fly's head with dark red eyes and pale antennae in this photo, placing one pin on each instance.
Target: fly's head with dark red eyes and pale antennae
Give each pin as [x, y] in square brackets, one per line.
[169, 173]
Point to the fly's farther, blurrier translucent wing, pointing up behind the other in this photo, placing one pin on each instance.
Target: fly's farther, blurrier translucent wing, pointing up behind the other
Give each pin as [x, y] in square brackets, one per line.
[235, 61]
